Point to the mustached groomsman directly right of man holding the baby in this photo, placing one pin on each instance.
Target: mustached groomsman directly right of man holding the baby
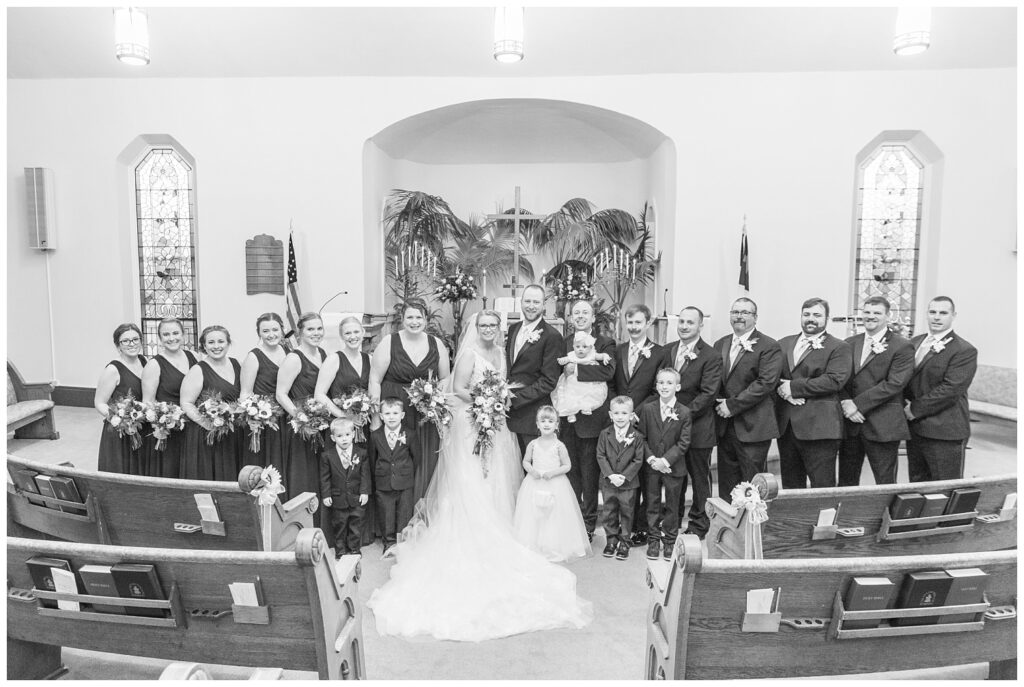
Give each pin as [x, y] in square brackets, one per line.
[637, 363]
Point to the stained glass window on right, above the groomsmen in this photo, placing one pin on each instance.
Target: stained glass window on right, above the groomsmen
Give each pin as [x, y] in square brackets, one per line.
[889, 232]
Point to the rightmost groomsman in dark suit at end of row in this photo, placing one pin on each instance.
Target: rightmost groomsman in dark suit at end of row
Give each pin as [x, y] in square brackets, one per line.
[936, 398]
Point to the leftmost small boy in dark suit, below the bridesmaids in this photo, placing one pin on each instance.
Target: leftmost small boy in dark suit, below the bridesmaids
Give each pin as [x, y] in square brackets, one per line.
[345, 486]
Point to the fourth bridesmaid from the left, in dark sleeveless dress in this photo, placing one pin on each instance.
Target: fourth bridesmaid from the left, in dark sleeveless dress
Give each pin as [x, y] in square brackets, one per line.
[260, 376]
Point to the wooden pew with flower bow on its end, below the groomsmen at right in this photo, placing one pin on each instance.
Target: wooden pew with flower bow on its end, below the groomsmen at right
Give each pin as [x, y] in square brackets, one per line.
[864, 514]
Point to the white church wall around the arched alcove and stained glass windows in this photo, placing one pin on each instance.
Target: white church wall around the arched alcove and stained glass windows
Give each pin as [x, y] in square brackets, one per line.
[270, 152]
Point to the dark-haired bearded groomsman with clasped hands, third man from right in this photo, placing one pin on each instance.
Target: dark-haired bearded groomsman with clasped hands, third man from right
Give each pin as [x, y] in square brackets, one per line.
[816, 367]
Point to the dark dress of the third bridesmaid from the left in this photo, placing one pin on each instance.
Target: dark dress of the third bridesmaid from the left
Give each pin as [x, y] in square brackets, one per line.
[223, 461]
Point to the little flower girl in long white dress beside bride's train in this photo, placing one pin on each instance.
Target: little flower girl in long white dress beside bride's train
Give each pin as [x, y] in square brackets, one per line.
[547, 516]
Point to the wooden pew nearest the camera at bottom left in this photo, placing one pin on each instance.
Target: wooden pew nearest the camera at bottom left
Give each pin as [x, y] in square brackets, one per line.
[311, 621]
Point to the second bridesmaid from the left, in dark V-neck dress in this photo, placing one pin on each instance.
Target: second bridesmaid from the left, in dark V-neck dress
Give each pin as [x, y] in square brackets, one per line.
[162, 382]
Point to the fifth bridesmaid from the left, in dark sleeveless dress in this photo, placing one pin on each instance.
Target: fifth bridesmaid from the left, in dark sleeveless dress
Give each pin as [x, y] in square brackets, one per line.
[296, 383]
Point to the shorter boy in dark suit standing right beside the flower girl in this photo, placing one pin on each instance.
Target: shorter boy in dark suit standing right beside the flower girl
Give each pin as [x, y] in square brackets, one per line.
[620, 456]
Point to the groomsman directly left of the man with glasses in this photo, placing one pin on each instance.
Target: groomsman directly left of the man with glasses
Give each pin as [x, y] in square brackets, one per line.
[700, 369]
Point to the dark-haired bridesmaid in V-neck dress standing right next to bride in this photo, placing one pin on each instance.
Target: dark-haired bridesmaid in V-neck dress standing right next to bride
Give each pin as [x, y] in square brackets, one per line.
[400, 359]
